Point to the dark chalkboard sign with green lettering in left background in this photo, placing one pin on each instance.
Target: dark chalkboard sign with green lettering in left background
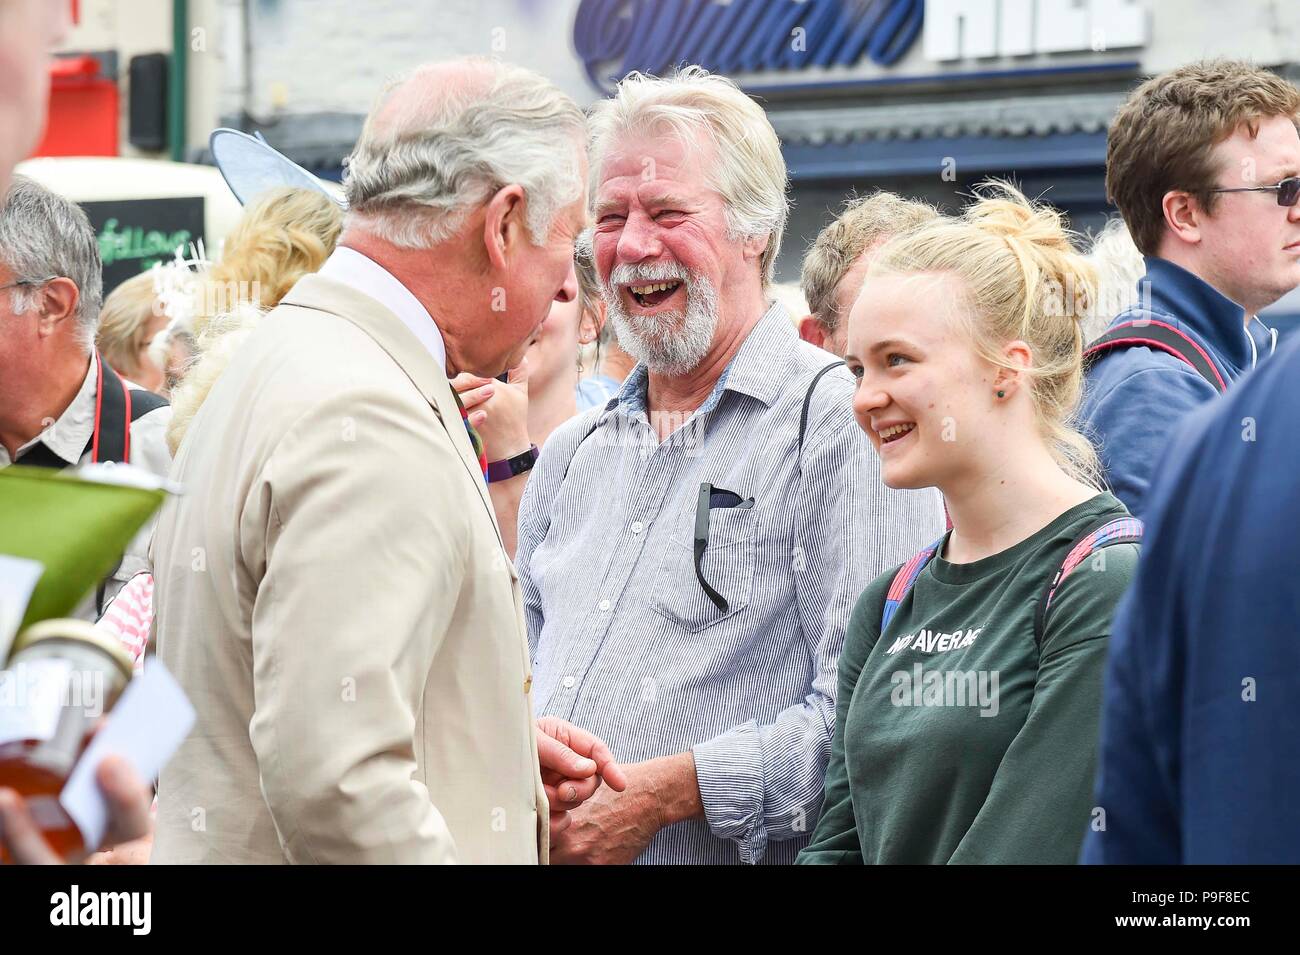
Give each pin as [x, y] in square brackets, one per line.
[137, 233]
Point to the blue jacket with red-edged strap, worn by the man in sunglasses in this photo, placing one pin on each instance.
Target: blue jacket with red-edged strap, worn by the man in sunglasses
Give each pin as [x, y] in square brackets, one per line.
[1134, 398]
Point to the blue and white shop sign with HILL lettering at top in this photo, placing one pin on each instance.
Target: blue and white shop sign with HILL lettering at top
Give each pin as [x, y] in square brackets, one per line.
[791, 37]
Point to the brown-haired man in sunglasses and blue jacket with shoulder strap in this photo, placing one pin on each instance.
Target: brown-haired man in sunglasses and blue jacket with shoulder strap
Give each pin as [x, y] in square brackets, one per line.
[1204, 166]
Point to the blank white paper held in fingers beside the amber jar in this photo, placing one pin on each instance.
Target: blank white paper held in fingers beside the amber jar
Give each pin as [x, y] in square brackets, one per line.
[146, 727]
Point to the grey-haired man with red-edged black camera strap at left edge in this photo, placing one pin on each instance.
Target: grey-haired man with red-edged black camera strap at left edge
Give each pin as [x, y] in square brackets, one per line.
[60, 402]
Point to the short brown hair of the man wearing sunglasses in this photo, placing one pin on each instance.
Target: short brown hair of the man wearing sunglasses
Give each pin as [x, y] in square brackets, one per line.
[1164, 137]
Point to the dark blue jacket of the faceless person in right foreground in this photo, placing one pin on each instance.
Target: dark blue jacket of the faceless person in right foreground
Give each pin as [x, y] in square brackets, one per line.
[1201, 731]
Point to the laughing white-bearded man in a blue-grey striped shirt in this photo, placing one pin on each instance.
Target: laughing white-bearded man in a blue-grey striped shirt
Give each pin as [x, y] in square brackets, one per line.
[691, 552]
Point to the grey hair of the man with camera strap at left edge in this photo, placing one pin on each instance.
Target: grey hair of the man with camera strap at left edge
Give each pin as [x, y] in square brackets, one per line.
[45, 236]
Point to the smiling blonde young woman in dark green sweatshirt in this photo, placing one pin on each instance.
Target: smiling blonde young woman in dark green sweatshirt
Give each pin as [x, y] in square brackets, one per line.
[967, 727]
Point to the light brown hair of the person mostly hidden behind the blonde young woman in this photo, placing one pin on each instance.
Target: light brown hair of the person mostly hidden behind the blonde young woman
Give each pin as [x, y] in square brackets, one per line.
[865, 223]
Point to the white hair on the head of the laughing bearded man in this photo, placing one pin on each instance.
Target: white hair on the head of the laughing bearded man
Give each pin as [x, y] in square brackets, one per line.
[749, 171]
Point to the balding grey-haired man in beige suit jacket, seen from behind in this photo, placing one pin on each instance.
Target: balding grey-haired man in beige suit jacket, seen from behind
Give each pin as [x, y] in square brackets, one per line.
[332, 591]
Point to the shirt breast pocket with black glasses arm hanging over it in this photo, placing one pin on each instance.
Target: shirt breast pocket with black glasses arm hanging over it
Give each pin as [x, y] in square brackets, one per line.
[727, 565]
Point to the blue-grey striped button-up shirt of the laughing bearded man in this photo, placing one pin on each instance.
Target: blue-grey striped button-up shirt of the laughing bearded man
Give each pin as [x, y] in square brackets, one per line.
[625, 639]
